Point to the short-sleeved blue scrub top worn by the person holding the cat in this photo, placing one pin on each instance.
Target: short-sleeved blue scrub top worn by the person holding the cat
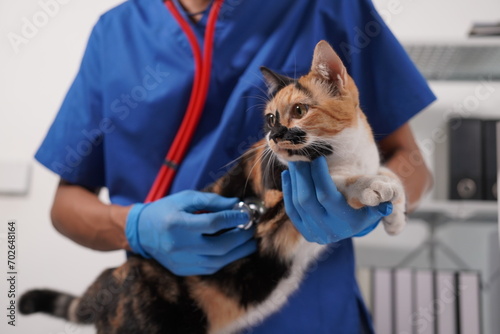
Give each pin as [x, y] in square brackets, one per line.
[128, 99]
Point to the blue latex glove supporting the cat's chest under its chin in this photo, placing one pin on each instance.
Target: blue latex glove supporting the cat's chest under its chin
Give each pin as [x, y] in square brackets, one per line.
[318, 210]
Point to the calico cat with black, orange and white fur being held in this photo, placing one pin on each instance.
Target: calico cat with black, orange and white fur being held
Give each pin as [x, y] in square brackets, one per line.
[315, 115]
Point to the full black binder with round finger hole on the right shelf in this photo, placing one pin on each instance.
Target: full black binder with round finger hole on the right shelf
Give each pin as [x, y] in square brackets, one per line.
[465, 158]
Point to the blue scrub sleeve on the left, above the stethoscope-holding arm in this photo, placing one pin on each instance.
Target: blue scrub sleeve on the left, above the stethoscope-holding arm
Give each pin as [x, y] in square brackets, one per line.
[73, 147]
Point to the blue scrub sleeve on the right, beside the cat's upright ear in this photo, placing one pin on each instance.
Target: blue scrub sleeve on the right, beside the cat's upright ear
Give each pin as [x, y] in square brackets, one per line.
[392, 89]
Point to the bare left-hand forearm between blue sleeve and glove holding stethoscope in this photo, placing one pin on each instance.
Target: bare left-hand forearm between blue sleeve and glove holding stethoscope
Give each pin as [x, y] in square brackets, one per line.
[78, 214]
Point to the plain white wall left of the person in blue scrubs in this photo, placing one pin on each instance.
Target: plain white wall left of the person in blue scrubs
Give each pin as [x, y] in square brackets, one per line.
[33, 82]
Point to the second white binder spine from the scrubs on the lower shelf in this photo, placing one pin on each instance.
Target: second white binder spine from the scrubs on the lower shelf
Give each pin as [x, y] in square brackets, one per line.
[382, 301]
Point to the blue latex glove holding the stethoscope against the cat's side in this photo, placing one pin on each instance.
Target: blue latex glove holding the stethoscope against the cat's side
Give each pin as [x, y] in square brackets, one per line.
[170, 231]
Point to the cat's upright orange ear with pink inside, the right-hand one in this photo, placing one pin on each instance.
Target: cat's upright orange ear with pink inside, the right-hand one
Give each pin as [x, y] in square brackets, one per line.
[328, 65]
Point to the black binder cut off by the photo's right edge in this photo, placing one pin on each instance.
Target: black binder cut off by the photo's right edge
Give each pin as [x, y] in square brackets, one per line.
[489, 160]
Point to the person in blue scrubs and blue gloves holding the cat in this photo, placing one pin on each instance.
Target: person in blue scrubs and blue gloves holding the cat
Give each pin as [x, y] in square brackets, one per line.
[126, 104]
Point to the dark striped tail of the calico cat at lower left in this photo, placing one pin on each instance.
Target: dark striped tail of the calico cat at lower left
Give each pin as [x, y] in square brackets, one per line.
[54, 303]
